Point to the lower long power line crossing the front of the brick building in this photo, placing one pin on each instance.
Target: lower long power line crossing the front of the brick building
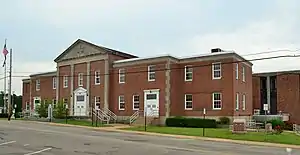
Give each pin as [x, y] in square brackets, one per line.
[175, 68]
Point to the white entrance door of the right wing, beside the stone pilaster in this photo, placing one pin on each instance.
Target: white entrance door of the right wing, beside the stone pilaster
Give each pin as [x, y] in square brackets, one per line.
[151, 103]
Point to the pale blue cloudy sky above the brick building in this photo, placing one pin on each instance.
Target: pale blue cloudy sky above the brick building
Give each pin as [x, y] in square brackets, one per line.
[38, 31]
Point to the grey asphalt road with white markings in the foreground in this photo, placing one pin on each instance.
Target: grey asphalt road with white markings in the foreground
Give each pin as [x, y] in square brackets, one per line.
[27, 138]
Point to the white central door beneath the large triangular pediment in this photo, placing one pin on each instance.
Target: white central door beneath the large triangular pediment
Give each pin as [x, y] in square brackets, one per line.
[80, 105]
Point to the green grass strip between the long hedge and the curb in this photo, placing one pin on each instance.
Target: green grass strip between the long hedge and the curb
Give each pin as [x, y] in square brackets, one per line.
[284, 138]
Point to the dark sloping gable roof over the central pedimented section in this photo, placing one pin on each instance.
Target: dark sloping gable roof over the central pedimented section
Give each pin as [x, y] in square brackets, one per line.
[112, 51]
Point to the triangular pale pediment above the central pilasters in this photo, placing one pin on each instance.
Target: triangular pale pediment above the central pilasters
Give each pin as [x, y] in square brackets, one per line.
[80, 49]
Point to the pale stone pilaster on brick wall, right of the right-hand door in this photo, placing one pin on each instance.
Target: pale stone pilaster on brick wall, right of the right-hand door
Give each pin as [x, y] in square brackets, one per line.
[168, 89]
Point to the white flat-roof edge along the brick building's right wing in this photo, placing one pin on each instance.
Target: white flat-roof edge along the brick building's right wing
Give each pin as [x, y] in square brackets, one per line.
[184, 58]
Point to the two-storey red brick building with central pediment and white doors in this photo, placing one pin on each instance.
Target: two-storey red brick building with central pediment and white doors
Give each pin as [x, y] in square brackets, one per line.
[91, 76]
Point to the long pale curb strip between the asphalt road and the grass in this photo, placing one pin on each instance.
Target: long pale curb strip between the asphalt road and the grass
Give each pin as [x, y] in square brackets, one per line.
[115, 129]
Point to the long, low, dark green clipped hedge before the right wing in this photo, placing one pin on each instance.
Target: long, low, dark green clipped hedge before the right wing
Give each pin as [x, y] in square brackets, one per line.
[191, 122]
